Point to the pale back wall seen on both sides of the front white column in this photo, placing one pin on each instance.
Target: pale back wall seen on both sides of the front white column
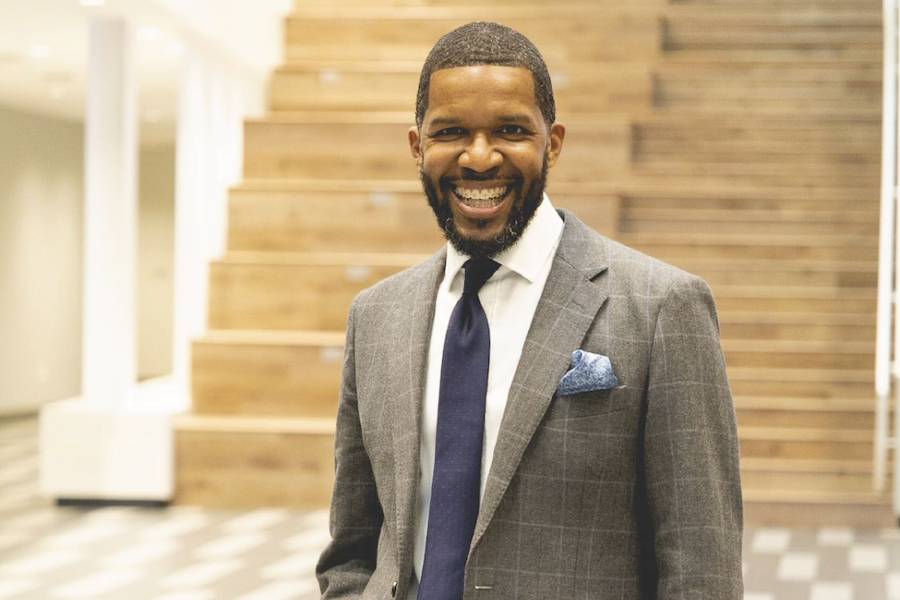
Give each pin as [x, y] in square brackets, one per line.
[41, 203]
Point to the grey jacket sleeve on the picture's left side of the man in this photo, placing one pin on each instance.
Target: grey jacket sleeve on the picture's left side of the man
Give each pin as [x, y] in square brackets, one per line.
[347, 563]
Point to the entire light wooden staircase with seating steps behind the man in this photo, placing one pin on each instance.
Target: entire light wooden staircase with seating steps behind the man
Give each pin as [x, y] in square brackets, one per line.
[738, 139]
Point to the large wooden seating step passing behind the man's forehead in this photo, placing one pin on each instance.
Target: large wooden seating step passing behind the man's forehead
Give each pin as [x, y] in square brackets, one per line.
[625, 88]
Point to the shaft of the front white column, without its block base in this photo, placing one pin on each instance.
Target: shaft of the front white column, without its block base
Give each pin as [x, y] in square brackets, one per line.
[110, 216]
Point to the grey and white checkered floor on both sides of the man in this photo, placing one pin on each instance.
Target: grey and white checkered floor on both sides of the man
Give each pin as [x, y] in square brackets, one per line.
[125, 553]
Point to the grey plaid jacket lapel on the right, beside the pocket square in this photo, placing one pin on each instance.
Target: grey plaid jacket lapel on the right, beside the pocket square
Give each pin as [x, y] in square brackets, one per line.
[568, 306]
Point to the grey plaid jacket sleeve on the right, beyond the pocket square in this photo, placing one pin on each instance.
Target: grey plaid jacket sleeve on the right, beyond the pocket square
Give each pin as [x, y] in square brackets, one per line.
[692, 452]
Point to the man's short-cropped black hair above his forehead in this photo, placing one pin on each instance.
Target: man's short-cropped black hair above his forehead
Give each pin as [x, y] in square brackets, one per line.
[486, 43]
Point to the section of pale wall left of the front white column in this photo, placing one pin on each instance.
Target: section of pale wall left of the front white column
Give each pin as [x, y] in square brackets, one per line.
[41, 192]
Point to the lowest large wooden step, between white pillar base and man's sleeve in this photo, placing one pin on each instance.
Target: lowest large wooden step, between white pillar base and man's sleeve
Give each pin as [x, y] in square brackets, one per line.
[249, 462]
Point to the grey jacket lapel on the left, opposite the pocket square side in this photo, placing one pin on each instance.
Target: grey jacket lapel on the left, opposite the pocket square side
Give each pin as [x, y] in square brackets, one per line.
[414, 313]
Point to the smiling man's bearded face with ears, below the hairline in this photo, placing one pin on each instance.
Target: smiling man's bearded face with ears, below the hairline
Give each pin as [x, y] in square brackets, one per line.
[483, 152]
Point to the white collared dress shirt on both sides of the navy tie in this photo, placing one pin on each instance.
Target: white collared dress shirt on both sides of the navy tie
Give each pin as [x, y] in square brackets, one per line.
[509, 298]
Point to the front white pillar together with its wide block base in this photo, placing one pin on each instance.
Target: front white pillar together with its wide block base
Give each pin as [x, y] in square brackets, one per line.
[114, 442]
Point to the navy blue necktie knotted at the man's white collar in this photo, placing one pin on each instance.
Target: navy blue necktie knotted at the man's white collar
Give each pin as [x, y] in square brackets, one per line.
[455, 488]
